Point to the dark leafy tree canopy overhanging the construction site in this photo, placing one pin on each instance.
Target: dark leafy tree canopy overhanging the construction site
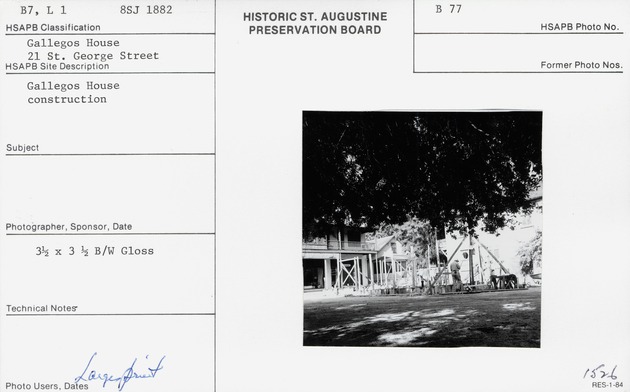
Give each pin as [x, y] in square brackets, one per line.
[454, 169]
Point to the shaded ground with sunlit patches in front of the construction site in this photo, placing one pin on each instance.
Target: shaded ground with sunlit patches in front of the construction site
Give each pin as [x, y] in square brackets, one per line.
[494, 319]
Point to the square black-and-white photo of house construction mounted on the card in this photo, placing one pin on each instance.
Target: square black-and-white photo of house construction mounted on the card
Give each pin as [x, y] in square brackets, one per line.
[422, 229]
